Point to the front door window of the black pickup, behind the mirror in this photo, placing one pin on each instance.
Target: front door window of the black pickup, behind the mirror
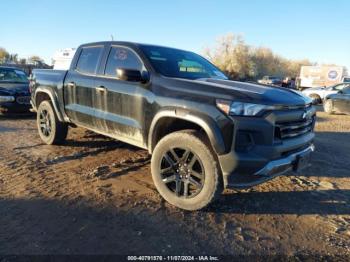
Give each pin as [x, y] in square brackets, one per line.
[121, 57]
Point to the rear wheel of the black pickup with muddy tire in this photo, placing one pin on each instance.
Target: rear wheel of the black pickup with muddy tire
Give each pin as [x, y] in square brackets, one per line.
[51, 130]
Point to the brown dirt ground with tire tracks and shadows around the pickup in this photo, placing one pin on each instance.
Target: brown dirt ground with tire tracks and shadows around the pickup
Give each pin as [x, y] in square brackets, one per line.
[95, 195]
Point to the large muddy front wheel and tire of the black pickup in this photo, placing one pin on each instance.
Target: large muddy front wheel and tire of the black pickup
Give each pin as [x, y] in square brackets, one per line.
[185, 170]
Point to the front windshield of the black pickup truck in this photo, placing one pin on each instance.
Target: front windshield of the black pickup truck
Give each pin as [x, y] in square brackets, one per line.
[181, 64]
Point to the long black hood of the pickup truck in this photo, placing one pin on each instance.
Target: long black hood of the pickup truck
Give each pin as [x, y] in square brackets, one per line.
[241, 91]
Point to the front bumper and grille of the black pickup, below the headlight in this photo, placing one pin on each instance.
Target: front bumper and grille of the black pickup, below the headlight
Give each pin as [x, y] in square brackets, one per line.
[267, 147]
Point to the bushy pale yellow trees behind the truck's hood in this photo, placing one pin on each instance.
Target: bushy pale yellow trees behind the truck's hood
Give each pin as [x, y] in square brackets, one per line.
[244, 62]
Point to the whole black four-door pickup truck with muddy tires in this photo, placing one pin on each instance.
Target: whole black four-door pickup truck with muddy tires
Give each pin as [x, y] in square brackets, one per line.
[204, 132]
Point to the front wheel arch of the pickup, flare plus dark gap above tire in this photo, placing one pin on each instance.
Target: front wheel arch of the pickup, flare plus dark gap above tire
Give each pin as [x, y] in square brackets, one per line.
[169, 121]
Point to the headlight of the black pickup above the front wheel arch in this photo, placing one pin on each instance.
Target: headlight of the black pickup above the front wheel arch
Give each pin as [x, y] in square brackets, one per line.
[241, 109]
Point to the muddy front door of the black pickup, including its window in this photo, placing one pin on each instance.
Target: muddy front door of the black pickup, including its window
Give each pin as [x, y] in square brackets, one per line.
[122, 102]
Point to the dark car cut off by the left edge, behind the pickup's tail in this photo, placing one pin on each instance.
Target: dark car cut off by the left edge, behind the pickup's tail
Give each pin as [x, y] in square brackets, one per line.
[14, 91]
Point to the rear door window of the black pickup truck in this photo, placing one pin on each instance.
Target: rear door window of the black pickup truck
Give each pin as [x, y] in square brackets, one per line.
[89, 59]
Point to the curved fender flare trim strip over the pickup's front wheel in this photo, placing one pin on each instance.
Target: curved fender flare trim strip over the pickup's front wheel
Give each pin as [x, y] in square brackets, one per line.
[205, 122]
